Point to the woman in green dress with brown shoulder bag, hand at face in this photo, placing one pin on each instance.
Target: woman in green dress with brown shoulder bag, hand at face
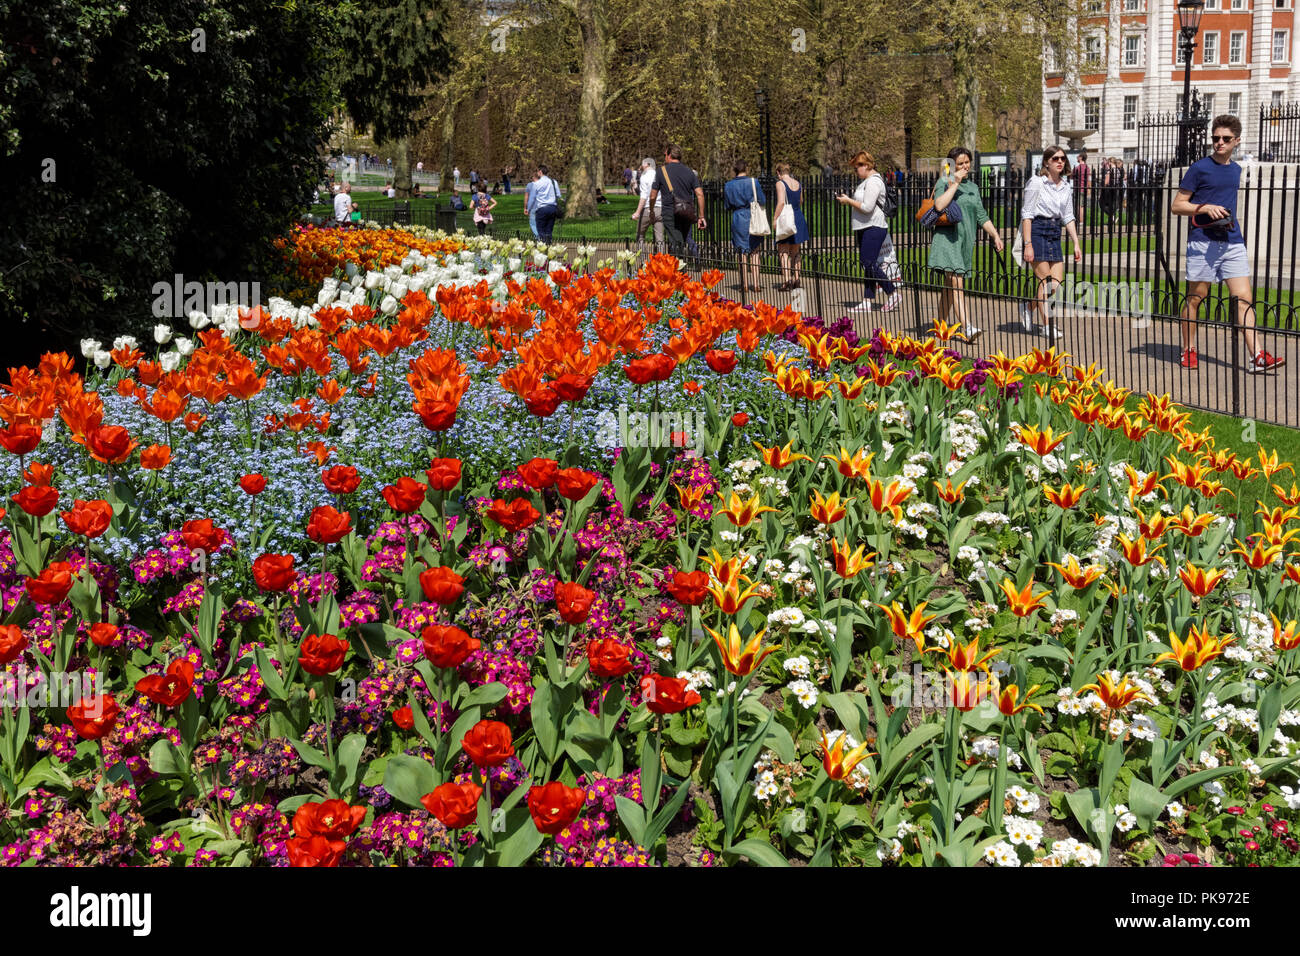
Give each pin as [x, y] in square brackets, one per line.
[954, 248]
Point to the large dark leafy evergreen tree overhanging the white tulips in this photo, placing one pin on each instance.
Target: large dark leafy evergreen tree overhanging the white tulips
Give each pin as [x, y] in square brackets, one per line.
[149, 139]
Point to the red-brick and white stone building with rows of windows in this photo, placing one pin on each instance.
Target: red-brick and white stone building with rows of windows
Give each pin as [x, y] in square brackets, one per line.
[1130, 63]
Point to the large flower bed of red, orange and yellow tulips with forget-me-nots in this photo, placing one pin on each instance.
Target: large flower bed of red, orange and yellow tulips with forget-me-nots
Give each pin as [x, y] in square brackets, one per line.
[480, 559]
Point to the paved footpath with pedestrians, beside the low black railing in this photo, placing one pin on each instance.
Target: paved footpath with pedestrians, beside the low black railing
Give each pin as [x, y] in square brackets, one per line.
[1141, 354]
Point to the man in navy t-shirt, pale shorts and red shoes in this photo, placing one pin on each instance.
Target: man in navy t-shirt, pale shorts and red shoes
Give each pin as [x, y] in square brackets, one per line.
[1216, 249]
